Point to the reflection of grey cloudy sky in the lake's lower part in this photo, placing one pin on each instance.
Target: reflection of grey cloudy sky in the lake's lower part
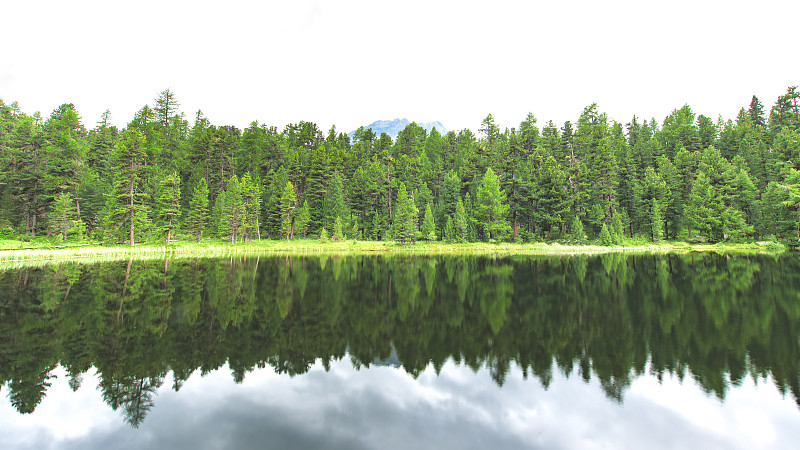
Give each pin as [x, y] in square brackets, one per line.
[386, 408]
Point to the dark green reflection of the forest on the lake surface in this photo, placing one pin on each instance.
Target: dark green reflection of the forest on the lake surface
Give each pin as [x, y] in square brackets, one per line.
[715, 318]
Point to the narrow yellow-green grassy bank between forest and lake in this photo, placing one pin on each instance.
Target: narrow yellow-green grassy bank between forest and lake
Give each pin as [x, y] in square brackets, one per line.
[22, 252]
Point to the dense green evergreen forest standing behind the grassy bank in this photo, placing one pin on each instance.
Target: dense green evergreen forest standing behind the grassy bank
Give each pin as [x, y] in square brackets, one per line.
[689, 177]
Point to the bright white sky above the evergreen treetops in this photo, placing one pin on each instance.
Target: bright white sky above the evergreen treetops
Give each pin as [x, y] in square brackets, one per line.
[350, 63]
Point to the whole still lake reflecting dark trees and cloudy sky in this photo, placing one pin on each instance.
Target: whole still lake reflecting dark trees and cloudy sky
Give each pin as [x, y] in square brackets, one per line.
[403, 352]
